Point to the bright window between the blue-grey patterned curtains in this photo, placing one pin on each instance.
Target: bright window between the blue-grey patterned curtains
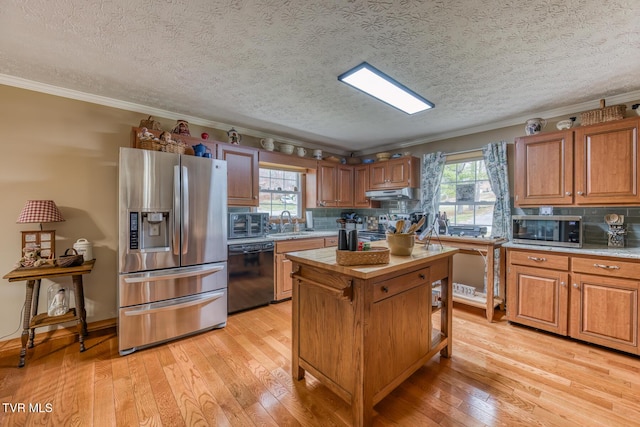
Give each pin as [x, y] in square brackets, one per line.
[465, 192]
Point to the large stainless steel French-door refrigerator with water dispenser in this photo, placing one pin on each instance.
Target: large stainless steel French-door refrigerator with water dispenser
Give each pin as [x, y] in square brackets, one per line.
[172, 256]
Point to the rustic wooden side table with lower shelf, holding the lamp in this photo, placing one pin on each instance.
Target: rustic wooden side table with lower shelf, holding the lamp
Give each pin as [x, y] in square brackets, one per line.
[32, 319]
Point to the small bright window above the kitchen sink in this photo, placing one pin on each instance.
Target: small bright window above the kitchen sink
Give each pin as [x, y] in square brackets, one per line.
[280, 190]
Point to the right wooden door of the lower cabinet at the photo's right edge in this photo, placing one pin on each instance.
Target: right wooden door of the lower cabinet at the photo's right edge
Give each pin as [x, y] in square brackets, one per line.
[604, 311]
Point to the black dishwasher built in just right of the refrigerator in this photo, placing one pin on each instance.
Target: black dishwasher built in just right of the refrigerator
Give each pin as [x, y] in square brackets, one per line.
[250, 267]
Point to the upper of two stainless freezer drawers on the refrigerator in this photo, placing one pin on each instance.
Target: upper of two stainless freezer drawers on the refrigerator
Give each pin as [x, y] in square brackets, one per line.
[153, 286]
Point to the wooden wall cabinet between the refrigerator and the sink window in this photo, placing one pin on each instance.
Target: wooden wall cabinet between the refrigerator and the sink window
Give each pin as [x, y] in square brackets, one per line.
[242, 174]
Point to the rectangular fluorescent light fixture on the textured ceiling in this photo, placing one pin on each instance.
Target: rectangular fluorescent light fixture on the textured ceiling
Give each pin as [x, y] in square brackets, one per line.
[374, 82]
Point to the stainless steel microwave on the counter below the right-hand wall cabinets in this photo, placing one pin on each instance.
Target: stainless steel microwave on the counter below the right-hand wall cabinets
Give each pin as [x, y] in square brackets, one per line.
[548, 230]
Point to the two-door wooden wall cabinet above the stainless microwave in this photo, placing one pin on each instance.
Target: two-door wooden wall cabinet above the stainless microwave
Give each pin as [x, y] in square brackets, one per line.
[591, 165]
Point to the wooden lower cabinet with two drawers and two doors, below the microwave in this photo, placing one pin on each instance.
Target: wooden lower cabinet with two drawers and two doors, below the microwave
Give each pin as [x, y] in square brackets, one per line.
[592, 299]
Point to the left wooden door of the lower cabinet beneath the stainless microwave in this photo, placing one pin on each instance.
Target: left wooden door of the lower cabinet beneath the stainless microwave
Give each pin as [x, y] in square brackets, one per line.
[538, 297]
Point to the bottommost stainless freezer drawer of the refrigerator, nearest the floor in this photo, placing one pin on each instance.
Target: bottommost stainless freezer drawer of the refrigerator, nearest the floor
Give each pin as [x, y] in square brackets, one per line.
[147, 324]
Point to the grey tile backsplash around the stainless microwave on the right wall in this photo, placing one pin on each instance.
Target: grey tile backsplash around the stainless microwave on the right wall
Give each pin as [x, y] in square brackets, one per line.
[594, 226]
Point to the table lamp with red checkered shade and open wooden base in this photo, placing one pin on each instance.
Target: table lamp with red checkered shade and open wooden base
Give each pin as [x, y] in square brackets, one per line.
[40, 211]
